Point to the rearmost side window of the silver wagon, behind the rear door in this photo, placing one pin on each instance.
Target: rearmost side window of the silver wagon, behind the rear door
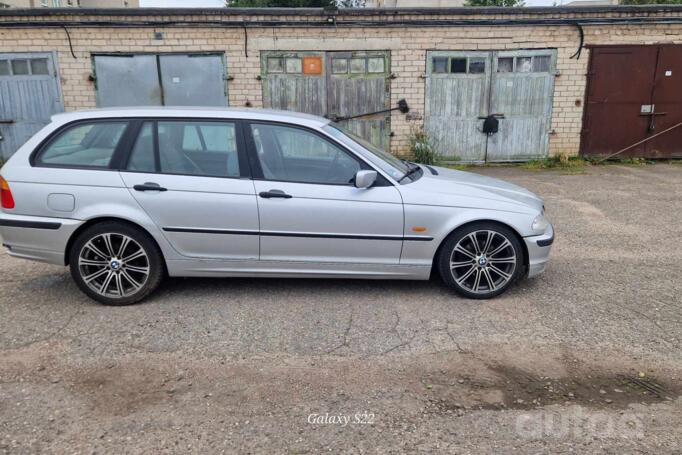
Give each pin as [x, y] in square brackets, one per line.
[84, 145]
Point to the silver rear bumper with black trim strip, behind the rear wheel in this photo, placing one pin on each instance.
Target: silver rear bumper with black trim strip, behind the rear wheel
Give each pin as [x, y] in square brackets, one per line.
[37, 238]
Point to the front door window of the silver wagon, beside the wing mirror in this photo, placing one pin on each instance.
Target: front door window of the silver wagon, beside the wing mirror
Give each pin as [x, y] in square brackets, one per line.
[297, 155]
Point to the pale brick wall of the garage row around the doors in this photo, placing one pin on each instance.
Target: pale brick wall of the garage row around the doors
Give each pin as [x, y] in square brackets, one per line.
[408, 47]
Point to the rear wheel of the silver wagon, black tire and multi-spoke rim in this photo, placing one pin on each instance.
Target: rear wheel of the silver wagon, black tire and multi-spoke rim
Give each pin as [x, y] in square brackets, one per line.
[111, 275]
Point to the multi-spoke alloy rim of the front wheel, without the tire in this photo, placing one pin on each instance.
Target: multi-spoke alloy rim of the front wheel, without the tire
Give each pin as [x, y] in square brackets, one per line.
[483, 261]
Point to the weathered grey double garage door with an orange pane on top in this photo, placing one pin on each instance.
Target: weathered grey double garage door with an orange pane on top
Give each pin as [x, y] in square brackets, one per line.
[334, 85]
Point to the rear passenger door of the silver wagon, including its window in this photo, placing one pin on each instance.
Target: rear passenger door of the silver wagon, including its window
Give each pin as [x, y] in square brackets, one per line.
[192, 180]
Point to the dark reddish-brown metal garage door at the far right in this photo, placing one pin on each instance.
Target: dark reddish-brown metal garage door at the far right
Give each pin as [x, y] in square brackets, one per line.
[633, 94]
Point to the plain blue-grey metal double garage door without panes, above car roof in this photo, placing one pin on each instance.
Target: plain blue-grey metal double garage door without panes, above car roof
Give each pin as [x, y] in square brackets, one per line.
[160, 80]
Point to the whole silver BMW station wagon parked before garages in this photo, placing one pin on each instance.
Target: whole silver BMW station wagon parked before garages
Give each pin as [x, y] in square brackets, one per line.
[125, 197]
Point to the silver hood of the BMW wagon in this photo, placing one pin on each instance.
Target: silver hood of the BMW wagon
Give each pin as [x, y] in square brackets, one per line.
[467, 186]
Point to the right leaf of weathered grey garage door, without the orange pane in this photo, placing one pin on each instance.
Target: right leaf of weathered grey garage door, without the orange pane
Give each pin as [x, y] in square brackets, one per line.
[358, 83]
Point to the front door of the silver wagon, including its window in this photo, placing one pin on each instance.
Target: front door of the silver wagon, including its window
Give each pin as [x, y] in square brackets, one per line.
[310, 210]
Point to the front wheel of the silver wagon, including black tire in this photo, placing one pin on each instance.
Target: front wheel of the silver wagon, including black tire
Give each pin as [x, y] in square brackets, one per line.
[484, 271]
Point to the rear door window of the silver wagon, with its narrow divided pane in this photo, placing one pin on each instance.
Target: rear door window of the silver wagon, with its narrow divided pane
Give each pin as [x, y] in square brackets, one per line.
[190, 148]
